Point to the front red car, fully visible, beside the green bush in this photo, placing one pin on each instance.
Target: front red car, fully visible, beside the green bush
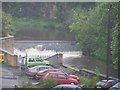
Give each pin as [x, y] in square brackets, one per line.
[63, 78]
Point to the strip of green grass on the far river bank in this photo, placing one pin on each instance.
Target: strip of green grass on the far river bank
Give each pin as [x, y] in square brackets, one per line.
[38, 24]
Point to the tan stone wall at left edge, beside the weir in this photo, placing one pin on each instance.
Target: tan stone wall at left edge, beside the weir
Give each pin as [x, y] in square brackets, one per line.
[6, 47]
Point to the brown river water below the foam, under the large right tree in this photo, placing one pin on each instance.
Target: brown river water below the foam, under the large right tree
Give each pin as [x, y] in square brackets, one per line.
[91, 64]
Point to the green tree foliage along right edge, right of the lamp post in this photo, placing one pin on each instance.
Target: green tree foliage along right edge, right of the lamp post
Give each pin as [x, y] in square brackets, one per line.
[115, 38]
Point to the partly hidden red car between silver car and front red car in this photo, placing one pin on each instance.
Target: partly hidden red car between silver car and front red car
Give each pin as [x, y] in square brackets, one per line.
[42, 73]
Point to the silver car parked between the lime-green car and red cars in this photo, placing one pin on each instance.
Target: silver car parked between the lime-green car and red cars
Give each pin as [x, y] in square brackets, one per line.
[31, 71]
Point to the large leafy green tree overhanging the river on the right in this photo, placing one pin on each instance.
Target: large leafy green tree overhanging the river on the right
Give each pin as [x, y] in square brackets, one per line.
[90, 27]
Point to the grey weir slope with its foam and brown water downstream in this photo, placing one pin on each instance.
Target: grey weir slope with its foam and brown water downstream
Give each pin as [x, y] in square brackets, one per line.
[71, 54]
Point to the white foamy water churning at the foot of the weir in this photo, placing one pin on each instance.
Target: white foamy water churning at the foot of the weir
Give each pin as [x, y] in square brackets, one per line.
[46, 53]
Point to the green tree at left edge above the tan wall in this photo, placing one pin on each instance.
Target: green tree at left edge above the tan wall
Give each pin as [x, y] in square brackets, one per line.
[7, 26]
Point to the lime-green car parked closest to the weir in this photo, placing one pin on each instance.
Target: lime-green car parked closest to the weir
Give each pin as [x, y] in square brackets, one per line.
[35, 60]
